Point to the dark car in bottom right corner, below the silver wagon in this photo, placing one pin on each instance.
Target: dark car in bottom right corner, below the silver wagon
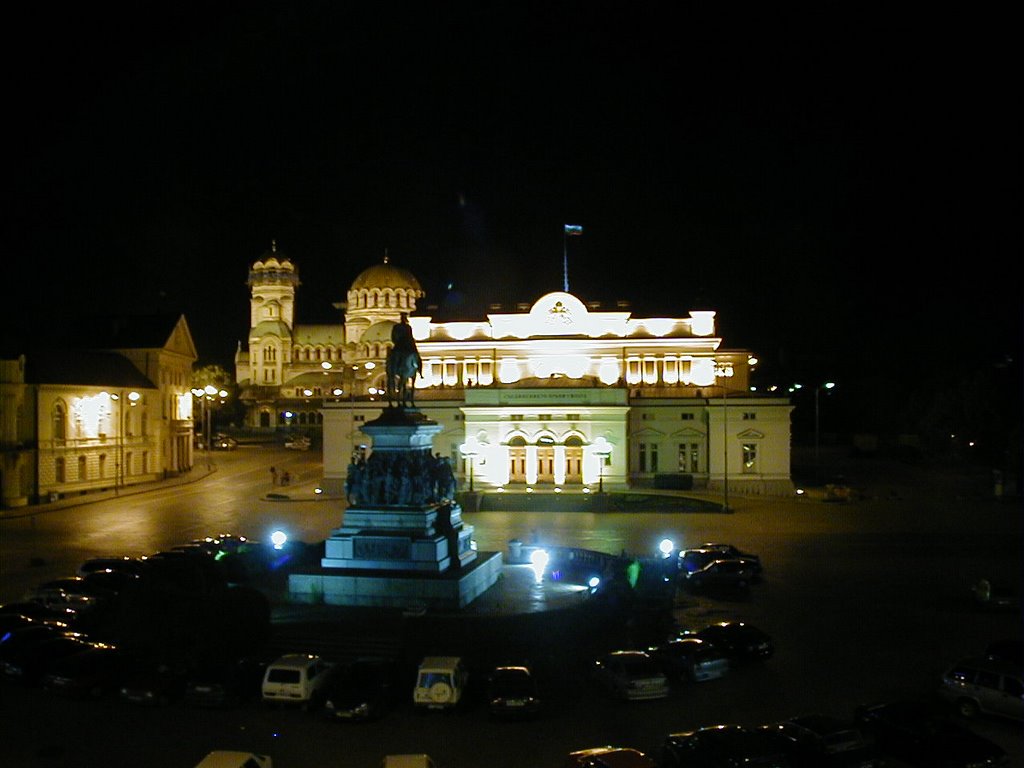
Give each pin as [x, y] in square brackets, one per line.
[921, 735]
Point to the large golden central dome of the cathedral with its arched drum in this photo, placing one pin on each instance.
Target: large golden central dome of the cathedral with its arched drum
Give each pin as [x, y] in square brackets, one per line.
[380, 294]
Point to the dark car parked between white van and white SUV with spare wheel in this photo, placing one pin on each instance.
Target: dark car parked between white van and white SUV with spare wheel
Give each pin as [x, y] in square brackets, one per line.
[366, 690]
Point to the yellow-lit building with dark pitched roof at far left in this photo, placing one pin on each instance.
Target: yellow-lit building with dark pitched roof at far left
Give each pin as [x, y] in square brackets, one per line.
[79, 420]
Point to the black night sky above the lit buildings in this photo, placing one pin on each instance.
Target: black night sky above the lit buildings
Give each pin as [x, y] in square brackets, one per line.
[830, 182]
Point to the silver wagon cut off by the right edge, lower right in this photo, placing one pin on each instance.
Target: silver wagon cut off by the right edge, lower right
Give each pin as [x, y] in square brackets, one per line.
[985, 687]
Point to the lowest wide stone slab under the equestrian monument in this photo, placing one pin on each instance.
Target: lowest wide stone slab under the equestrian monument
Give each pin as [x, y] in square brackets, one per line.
[452, 589]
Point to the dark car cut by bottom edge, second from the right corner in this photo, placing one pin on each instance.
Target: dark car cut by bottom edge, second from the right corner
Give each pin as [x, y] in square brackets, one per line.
[816, 741]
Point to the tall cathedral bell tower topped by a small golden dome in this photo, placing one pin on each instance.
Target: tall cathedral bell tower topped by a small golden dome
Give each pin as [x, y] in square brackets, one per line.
[273, 281]
